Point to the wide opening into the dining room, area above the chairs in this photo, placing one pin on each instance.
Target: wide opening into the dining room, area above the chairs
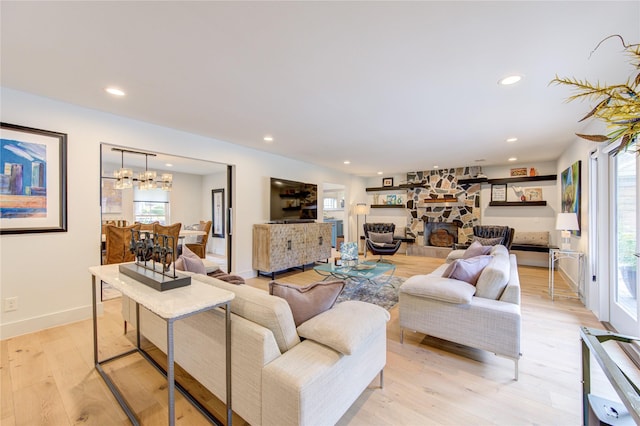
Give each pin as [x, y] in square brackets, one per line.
[187, 202]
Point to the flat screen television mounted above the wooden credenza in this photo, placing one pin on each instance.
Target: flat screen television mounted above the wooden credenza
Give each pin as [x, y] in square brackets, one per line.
[293, 201]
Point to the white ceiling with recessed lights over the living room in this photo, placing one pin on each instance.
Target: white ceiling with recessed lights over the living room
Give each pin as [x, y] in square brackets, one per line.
[390, 86]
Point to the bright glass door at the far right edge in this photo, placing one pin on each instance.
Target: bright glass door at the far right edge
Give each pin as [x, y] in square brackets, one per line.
[624, 306]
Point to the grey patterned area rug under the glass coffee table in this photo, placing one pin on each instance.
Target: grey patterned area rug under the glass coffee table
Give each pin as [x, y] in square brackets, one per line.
[379, 291]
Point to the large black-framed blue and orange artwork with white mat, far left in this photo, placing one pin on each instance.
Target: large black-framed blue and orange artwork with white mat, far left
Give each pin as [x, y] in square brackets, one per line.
[33, 180]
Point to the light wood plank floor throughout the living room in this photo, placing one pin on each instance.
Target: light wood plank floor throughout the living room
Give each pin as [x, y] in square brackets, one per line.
[48, 377]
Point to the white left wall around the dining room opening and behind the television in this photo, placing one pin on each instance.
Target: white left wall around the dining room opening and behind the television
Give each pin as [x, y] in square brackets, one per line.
[49, 272]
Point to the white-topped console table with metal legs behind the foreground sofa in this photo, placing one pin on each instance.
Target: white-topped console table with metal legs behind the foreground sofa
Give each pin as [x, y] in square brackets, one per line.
[170, 305]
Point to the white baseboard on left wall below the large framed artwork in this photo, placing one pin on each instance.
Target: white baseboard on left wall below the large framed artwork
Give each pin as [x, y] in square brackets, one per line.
[32, 325]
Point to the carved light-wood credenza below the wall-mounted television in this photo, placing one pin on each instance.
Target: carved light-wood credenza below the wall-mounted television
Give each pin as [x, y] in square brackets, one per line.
[280, 246]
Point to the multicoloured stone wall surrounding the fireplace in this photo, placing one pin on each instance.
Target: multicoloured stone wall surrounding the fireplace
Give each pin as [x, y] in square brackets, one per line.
[438, 184]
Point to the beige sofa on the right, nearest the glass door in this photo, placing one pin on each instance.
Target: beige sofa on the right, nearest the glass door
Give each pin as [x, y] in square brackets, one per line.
[485, 316]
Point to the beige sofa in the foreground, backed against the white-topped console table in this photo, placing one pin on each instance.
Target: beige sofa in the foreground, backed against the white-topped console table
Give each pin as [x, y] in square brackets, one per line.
[277, 377]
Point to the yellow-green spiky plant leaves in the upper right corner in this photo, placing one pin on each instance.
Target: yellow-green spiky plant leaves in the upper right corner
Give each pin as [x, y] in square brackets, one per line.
[618, 105]
